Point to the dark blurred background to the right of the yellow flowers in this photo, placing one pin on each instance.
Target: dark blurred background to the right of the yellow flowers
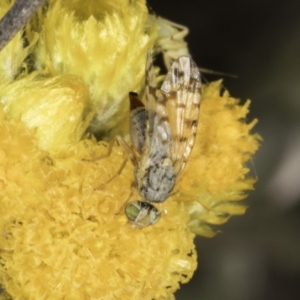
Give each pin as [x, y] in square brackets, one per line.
[257, 256]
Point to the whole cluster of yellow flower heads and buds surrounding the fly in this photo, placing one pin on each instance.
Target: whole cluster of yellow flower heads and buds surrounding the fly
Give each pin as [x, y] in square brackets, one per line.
[61, 237]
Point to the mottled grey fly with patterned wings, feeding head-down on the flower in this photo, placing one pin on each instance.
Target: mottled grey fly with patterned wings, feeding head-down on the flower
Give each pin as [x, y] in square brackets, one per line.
[163, 133]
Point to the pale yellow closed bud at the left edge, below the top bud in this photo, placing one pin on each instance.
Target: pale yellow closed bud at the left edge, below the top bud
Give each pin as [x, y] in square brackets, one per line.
[55, 107]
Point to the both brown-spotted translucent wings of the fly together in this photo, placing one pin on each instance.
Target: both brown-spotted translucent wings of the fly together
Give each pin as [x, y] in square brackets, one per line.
[173, 111]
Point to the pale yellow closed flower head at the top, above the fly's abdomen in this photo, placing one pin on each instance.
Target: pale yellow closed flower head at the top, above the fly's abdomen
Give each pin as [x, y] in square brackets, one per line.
[104, 43]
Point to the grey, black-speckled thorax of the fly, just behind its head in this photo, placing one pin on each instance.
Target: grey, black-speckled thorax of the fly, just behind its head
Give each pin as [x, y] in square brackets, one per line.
[158, 181]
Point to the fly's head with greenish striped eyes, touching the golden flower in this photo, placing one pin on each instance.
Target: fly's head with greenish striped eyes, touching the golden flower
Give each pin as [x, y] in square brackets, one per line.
[142, 213]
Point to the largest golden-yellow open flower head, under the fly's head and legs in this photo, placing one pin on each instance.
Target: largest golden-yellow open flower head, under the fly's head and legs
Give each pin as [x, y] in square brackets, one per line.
[62, 239]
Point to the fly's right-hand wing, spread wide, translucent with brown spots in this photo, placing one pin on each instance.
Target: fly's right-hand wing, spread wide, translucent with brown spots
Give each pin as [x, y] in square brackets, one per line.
[181, 96]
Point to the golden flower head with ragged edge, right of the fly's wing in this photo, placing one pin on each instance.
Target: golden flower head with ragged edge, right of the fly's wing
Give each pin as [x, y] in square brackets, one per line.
[216, 177]
